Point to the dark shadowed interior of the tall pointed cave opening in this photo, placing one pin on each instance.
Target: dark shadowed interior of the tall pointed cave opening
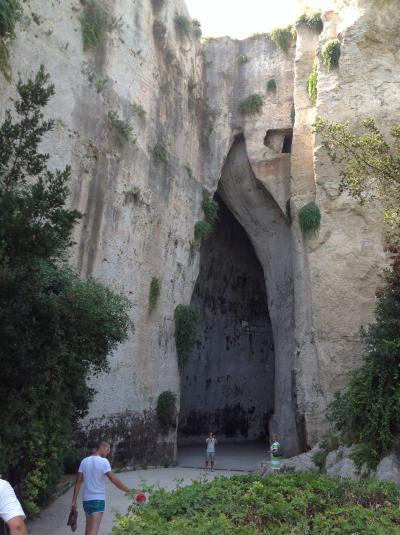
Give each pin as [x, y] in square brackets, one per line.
[228, 384]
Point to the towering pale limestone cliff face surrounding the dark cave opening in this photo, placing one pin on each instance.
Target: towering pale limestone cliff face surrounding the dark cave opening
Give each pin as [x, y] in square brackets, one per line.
[140, 211]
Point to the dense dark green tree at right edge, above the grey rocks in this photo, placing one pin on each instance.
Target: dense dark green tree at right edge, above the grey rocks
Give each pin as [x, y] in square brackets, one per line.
[367, 413]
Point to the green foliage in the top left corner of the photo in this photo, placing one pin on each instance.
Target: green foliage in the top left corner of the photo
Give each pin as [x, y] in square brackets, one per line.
[10, 13]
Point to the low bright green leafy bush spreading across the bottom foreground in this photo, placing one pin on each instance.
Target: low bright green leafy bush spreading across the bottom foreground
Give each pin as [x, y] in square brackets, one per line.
[295, 504]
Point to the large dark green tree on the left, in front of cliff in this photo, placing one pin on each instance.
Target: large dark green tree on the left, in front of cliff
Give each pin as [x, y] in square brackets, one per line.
[55, 330]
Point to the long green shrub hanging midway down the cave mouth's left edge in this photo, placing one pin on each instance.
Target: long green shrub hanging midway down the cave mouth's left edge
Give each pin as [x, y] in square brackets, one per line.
[187, 318]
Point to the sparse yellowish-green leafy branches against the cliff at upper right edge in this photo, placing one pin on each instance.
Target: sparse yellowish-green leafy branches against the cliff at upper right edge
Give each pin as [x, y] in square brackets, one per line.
[370, 166]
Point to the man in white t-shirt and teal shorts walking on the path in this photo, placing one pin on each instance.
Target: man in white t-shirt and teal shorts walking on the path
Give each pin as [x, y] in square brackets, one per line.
[92, 472]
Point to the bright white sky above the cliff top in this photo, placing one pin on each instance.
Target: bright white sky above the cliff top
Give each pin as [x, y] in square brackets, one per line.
[241, 18]
